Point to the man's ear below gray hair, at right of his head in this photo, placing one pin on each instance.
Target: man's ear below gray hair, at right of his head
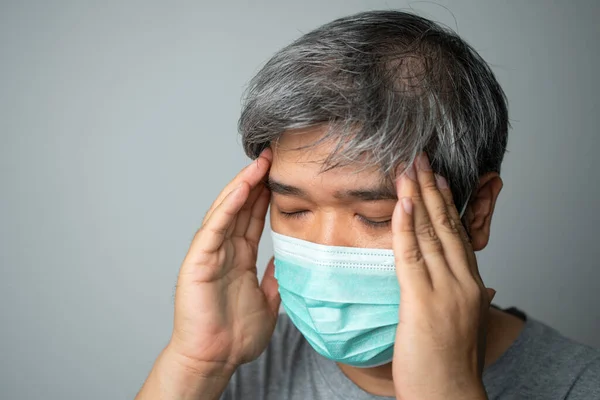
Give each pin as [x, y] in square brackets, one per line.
[481, 208]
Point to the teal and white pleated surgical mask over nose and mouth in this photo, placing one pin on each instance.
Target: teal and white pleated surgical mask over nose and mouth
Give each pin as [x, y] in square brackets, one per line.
[344, 300]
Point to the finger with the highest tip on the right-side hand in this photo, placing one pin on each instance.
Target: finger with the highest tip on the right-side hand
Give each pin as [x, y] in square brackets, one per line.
[443, 223]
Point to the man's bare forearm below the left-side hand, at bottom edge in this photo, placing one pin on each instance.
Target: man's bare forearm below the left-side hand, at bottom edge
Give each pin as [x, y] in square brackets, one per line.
[172, 378]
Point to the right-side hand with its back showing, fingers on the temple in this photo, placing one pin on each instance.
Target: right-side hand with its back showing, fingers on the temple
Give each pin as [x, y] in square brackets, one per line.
[440, 339]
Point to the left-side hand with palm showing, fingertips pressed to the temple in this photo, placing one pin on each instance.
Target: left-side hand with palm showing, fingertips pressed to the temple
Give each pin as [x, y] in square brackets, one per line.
[223, 317]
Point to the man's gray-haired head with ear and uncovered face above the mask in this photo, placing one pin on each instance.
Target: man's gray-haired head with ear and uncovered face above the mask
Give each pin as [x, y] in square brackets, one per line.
[346, 104]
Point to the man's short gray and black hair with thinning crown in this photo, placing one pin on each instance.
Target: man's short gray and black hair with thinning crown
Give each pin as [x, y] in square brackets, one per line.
[388, 85]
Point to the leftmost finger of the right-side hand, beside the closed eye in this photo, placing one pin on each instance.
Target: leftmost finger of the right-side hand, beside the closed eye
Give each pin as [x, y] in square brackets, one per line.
[411, 269]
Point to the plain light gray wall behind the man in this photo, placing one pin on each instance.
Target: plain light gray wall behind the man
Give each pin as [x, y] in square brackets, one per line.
[118, 128]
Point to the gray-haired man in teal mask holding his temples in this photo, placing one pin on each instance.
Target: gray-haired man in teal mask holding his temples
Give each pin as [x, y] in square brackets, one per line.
[378, 141]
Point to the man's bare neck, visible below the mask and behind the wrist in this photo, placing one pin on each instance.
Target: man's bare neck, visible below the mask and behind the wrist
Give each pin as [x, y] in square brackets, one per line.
[503, 330]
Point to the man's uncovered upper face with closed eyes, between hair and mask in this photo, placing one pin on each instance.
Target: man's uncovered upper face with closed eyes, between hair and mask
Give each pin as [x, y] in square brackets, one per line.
[344, 206]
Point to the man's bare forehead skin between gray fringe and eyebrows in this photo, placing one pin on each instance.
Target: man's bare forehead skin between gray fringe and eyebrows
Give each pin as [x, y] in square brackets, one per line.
[296, 157]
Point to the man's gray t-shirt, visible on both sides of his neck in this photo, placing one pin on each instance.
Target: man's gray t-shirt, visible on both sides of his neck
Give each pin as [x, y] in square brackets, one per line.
[540, 364]
